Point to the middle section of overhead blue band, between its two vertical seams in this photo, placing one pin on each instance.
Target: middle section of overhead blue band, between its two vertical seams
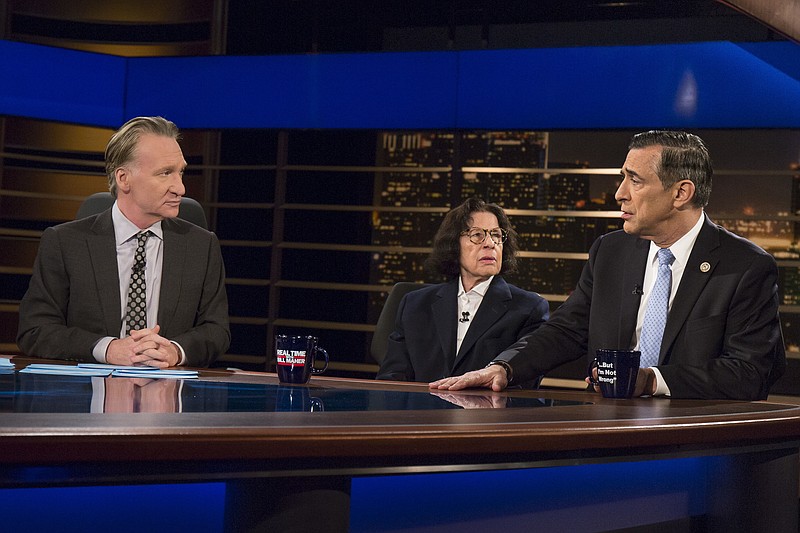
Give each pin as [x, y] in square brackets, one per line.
[395, 91]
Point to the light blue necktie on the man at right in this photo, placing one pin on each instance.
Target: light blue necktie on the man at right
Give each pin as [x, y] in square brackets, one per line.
[655, 318]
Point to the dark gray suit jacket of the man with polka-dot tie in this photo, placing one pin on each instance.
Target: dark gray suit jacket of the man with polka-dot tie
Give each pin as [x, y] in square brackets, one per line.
[73, 297]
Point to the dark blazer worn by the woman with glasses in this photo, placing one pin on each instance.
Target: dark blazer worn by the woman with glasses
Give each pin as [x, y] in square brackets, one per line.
[423, 345]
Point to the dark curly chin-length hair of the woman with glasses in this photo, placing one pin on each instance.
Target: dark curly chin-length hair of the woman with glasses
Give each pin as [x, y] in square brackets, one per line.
[446, 254]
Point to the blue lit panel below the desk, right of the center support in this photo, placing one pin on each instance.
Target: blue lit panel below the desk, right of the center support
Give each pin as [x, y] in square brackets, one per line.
[591, 497]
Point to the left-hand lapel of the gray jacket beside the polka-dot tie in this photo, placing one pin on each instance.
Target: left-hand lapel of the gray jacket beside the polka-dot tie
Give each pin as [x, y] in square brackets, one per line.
[102, 246]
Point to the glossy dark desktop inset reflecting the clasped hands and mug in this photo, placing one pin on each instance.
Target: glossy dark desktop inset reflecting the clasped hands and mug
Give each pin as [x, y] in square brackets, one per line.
[34, 393]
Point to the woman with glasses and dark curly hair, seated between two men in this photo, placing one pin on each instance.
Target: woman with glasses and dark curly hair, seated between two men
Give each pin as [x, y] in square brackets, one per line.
[460, 325]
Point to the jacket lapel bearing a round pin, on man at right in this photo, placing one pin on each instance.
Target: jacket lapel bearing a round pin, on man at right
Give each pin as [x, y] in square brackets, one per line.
[692, 282]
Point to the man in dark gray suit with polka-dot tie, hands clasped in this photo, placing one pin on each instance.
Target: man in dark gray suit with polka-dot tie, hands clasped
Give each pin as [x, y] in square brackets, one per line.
[79, 304]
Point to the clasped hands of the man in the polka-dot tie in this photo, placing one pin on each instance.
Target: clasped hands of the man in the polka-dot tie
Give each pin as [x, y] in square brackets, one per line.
[144, 346]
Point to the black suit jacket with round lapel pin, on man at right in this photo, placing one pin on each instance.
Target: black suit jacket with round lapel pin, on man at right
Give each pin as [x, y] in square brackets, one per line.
[722, 338]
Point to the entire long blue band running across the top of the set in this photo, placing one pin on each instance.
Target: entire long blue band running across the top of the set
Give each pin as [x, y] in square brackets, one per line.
[701, 85]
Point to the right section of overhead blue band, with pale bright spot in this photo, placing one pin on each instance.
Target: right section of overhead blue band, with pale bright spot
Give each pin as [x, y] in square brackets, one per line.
[706, 85]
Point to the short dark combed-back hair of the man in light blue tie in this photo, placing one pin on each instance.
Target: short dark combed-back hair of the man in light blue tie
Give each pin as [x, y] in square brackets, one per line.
[684, 157]
